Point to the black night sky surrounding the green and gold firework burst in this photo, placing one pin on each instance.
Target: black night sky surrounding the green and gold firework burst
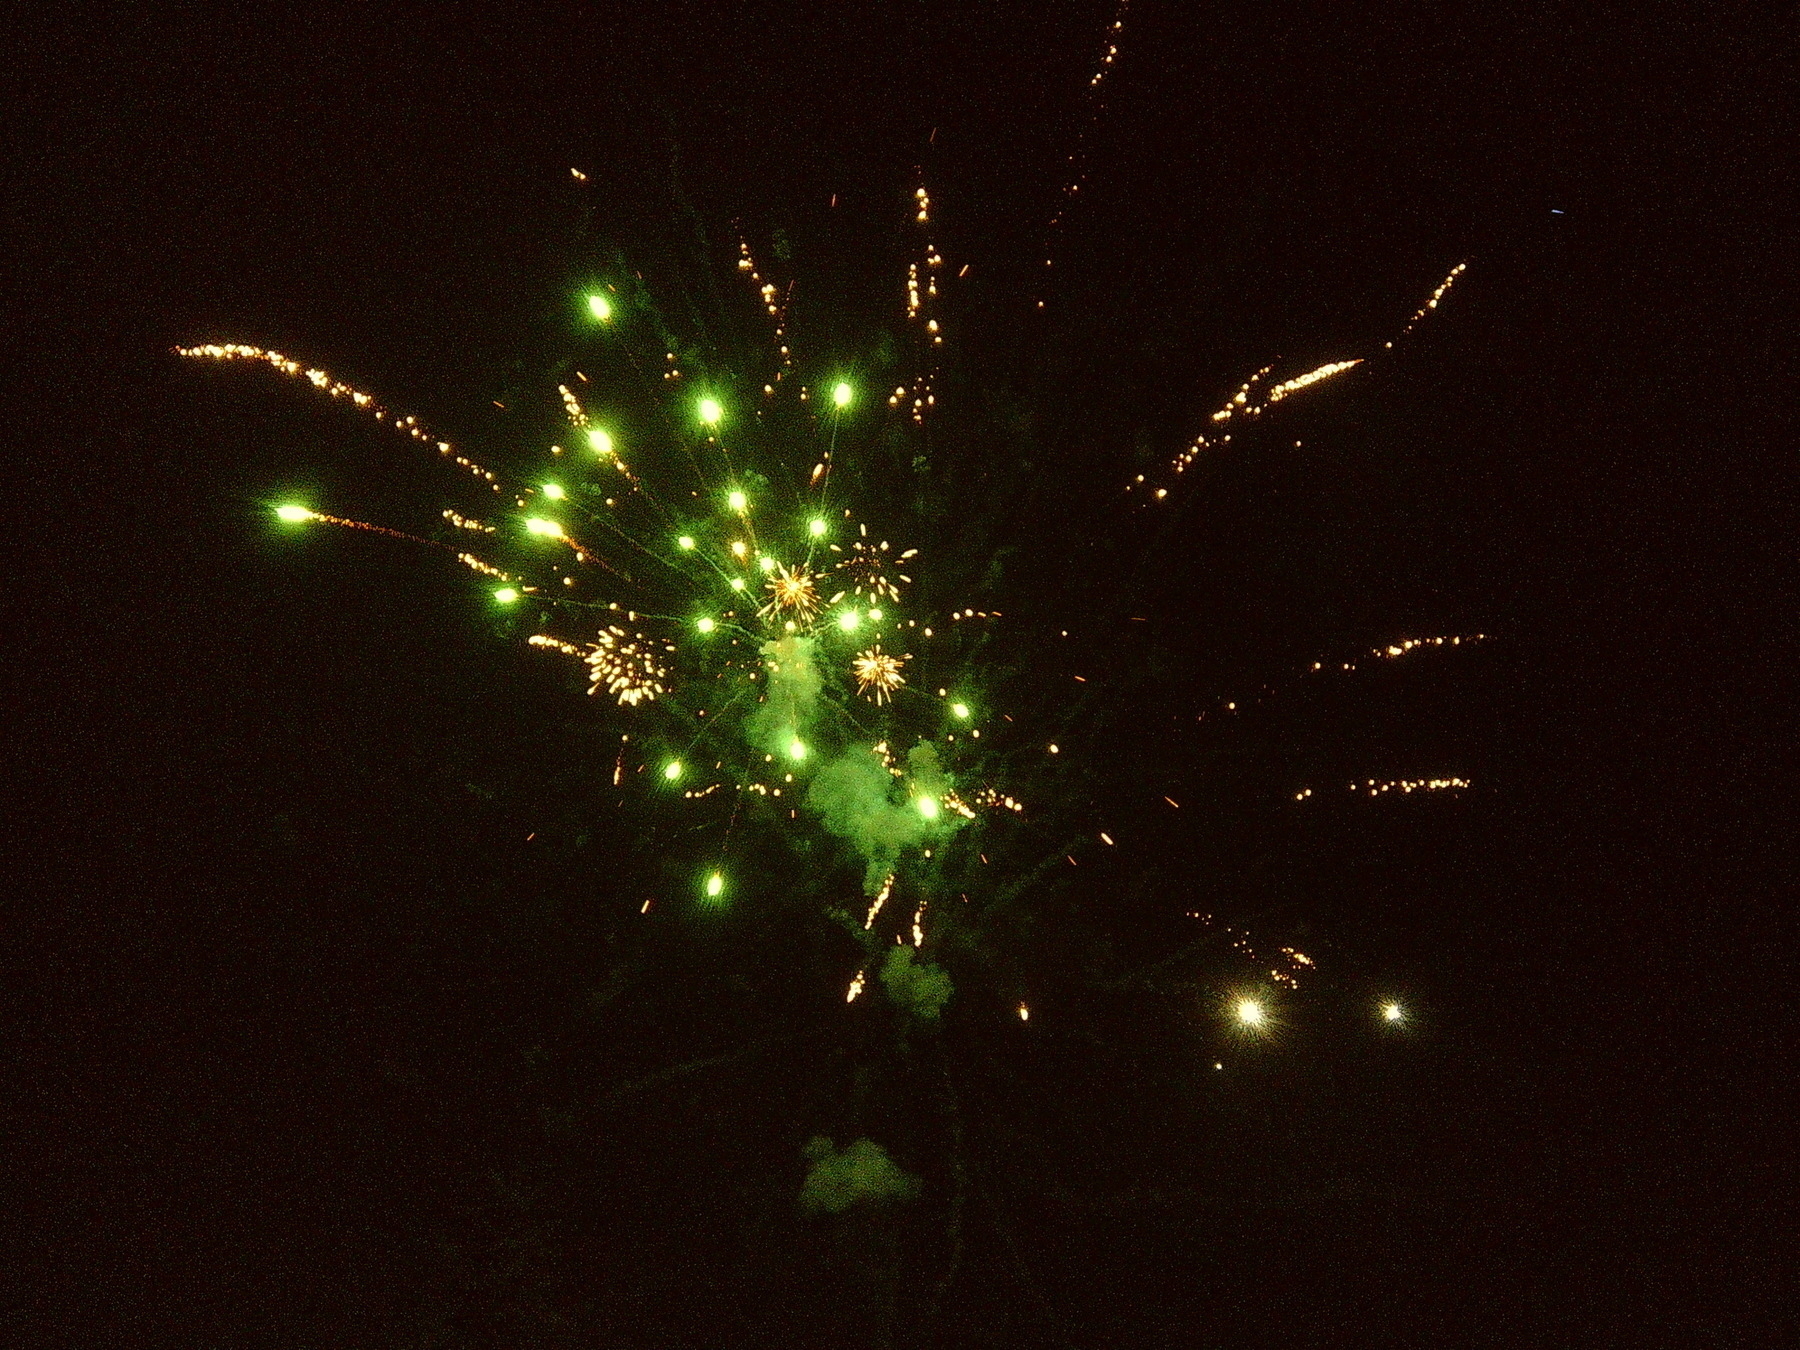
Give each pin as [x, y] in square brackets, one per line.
[330, 1018]
